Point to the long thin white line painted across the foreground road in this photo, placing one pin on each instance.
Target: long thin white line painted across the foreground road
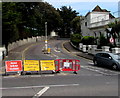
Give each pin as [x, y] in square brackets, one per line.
[27, 87]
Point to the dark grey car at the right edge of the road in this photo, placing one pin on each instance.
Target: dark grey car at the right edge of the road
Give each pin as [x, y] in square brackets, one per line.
[107, 59]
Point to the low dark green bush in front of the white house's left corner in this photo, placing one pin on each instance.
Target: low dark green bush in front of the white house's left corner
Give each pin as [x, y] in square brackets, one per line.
[88, 40]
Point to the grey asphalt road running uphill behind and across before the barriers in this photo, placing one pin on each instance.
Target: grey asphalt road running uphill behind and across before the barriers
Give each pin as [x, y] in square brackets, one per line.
[90, 80]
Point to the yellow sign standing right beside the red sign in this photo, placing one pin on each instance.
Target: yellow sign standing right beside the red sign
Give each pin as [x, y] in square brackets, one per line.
[31, 65]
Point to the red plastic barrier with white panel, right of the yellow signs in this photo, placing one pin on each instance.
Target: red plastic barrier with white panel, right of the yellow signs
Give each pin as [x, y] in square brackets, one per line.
[67, 65]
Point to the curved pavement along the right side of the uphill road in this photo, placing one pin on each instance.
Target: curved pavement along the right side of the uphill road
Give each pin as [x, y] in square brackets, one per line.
[71, 49]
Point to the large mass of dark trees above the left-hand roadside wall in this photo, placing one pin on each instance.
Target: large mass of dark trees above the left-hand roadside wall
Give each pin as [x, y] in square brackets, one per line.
[26, 19]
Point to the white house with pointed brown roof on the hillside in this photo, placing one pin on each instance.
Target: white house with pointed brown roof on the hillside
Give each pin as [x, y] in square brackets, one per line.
[93, 23]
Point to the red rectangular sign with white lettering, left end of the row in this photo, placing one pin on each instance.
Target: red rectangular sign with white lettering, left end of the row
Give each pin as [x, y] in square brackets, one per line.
[12, 66]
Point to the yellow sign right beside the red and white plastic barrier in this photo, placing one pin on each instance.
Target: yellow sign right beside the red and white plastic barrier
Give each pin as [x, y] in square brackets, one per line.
[47, 65]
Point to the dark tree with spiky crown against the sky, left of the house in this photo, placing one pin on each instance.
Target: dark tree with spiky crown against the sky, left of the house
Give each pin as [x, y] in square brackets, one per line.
[67, 15]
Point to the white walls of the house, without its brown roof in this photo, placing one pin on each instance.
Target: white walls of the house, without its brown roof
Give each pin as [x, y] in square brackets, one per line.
[95, 23]
